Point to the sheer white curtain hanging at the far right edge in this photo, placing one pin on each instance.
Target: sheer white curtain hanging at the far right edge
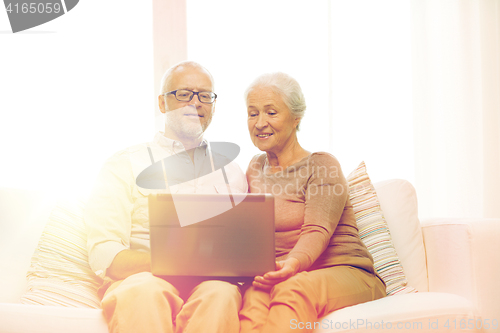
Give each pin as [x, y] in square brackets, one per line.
[456, 105]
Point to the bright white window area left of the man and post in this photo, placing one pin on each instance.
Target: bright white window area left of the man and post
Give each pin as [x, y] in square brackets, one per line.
[72, 92]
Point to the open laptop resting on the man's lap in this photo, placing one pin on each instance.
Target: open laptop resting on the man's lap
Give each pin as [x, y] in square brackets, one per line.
[235, 245]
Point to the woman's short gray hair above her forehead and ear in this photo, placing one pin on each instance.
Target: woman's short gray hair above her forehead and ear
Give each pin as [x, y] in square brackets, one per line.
[286, 86]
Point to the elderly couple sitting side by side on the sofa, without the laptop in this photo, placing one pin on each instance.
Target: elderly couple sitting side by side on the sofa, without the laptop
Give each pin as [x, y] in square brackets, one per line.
[321, 263]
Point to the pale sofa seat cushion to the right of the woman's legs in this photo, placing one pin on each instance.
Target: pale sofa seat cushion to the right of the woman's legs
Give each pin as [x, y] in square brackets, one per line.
[418, 312]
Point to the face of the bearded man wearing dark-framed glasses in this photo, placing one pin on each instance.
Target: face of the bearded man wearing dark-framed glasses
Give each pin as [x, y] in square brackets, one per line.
[187, 120]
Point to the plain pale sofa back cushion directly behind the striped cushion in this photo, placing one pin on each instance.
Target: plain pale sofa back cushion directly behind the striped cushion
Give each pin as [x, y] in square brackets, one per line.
[398, 201]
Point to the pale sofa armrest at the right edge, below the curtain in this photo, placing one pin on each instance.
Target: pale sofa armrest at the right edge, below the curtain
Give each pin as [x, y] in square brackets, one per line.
[463, 258]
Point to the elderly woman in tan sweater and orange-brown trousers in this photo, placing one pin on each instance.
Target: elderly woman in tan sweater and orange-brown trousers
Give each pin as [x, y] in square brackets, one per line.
[322, 265]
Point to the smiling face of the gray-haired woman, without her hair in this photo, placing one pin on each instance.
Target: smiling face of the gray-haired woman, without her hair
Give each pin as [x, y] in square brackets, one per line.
[270, 122]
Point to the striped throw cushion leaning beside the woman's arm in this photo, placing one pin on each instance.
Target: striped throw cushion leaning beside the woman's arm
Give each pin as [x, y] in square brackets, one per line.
[374, 232]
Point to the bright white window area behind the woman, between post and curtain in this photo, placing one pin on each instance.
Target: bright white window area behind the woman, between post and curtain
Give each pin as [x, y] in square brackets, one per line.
[361, 112]
